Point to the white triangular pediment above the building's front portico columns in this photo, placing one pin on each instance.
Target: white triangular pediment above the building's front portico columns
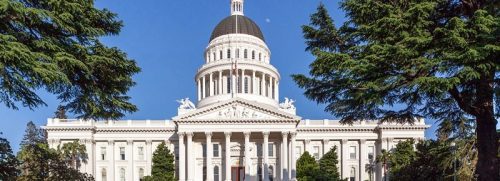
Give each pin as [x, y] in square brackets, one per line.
[237, 109]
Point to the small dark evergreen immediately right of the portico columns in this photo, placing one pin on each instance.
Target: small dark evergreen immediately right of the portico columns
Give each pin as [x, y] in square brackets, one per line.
[307, 167]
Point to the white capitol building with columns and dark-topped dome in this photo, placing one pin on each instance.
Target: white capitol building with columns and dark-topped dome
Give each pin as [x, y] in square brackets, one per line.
[237, 130]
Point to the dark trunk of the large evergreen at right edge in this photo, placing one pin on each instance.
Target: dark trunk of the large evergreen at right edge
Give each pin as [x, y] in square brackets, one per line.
[487, 144]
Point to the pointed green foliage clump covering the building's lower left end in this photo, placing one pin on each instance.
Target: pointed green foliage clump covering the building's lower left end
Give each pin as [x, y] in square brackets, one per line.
[41, 163]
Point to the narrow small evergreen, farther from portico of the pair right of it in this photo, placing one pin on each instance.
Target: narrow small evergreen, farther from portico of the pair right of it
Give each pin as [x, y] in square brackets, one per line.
[328, 166]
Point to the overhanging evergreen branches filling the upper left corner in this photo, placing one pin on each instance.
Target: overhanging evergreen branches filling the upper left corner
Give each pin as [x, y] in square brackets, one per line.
[54, 45]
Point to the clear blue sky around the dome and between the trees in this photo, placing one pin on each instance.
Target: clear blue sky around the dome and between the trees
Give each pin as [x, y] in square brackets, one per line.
[167, 39]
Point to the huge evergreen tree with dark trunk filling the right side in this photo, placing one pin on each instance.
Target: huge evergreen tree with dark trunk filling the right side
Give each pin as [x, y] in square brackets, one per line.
[431, 58]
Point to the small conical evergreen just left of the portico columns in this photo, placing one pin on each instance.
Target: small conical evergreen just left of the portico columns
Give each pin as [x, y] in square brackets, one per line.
[163, 168]
